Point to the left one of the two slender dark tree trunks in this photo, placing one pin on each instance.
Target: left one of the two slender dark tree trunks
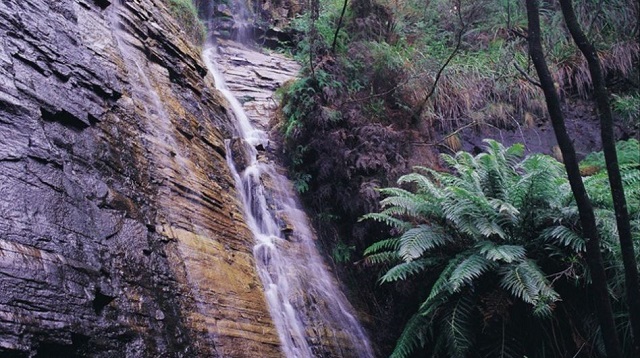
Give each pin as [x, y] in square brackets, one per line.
[587, 217]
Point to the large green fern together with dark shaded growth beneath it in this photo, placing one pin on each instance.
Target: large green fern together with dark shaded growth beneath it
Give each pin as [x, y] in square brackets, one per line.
[498, 240]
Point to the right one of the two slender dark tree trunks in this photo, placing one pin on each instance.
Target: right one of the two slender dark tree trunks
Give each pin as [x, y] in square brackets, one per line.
[613, 169]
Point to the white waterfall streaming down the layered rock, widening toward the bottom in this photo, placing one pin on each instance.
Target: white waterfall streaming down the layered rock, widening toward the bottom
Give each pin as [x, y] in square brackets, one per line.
[312, 316]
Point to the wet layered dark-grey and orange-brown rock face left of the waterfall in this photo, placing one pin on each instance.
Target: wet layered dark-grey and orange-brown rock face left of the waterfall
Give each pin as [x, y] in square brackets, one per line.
[120, 231]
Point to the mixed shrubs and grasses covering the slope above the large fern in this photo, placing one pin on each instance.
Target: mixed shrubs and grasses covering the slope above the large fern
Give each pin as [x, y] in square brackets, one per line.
[361, 115]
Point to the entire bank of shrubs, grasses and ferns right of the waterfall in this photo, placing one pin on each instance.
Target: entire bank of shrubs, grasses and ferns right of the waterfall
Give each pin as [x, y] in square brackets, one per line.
[409, 79]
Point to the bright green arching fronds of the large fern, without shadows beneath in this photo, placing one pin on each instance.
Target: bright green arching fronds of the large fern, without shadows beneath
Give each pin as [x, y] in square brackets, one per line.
[495, 216]
